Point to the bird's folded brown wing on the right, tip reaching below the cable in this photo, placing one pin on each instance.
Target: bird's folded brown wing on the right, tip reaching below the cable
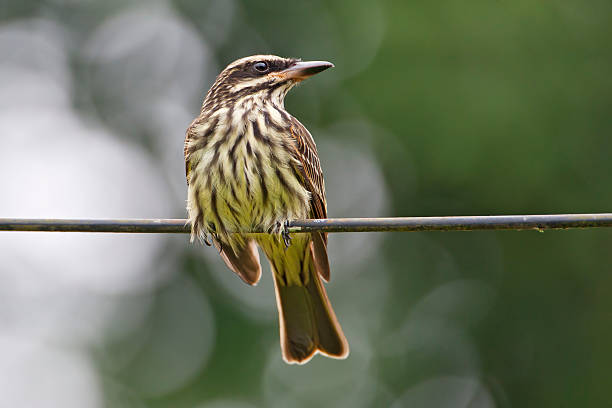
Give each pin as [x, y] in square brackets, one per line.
[306, 153]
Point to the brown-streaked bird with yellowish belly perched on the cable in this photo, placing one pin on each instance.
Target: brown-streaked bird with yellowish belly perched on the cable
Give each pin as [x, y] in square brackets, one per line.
[252, 166]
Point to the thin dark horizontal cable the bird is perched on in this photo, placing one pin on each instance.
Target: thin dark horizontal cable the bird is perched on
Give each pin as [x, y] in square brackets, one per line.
[460, 223]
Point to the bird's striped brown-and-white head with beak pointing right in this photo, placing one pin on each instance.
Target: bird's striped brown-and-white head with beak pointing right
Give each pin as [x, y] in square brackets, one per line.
[264, 77]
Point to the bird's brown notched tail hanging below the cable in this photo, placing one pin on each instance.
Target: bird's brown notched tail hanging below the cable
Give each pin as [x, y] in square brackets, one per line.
[307, 321]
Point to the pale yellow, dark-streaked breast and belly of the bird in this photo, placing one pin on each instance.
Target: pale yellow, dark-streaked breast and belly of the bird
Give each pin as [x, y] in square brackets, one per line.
[244, 175]
